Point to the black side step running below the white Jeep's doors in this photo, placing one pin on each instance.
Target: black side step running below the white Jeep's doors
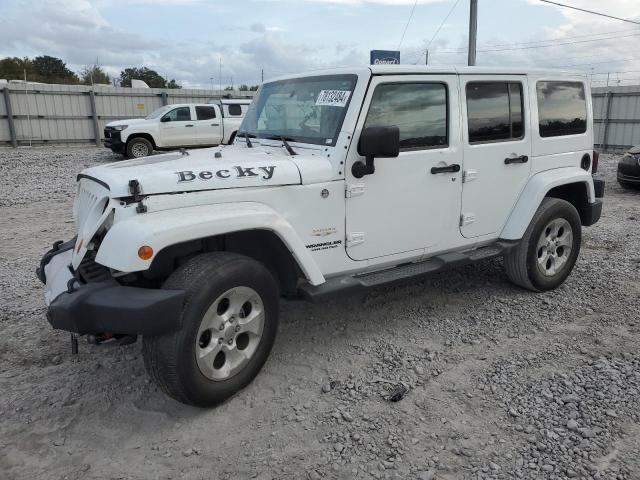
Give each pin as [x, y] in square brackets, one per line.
[353, 283]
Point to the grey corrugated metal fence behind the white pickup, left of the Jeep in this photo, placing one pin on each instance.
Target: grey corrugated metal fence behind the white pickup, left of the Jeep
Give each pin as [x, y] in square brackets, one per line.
[62, 113]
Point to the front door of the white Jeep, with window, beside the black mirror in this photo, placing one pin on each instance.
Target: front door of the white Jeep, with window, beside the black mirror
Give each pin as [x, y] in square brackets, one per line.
[405, 206]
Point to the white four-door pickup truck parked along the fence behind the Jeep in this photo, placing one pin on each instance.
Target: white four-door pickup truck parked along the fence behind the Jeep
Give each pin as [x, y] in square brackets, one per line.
[177, 126]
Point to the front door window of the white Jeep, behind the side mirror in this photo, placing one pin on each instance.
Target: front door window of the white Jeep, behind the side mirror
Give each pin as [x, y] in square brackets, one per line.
[419, 110]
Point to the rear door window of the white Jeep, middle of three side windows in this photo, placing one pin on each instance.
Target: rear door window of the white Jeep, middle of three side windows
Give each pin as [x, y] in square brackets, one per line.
[494, 111]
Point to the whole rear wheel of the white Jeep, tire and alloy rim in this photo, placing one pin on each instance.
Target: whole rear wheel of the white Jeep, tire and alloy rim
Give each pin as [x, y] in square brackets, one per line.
[549, 248]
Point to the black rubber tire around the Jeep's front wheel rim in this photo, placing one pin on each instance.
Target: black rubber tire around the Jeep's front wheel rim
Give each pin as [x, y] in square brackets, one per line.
[170, 359]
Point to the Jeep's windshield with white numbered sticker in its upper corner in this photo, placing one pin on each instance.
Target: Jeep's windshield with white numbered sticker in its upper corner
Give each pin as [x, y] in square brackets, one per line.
[305, 110]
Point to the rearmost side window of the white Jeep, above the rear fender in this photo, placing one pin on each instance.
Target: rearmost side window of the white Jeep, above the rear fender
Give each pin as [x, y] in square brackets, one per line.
[562, 108]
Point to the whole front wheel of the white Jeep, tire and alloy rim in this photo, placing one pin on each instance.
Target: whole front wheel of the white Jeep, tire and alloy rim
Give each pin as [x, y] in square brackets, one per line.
[229, 323]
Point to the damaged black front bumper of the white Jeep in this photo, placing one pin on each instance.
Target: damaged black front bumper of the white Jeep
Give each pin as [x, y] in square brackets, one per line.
[105, 306]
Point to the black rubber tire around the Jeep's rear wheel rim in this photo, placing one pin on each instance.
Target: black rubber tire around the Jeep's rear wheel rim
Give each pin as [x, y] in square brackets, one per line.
[521, 262]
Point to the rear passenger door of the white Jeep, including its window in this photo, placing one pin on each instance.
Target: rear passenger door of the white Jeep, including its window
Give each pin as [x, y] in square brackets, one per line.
[497, 151]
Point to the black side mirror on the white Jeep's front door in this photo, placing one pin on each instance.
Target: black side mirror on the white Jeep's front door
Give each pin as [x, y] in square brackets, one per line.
[381, 142]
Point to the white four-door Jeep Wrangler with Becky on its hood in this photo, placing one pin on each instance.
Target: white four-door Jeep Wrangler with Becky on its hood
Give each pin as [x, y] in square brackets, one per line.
[337, 182]
